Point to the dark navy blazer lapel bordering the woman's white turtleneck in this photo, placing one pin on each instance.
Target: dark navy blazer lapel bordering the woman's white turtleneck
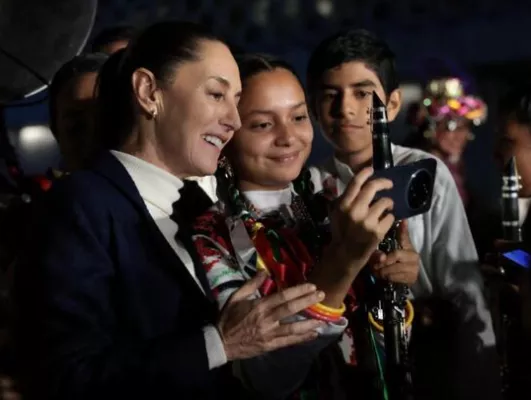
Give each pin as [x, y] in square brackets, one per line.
[111, 169]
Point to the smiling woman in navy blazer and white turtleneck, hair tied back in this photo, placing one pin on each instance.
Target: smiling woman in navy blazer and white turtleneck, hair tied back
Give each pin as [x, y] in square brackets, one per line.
[111, 301]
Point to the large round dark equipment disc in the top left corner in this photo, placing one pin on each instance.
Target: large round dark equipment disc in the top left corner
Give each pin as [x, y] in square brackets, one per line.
[36, 38]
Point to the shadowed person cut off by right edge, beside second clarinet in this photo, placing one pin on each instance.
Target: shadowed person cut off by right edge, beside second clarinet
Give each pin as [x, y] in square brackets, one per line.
[509, 283]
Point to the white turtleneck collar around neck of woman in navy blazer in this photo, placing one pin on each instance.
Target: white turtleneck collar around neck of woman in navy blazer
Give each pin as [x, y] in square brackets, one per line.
[155, 185]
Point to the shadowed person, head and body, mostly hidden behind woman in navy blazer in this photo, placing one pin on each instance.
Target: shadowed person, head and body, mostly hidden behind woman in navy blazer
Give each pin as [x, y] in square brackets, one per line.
[71, 97]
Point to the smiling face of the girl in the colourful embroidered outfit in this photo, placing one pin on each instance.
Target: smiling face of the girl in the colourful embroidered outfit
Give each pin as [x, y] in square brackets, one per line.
[275, 139]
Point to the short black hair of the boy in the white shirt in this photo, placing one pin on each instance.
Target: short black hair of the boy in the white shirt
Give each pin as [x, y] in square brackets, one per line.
[353, 45]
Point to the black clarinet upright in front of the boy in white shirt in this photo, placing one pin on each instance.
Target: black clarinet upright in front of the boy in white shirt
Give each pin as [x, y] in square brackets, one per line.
[392, 304]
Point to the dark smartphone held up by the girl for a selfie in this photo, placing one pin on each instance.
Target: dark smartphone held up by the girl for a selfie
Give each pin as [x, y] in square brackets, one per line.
[412, 190]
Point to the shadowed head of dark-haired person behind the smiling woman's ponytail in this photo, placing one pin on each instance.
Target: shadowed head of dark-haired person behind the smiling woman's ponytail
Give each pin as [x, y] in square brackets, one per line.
[71, 102]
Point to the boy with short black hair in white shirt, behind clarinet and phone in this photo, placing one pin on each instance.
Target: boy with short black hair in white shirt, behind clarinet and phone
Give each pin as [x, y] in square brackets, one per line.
[342, 74]
